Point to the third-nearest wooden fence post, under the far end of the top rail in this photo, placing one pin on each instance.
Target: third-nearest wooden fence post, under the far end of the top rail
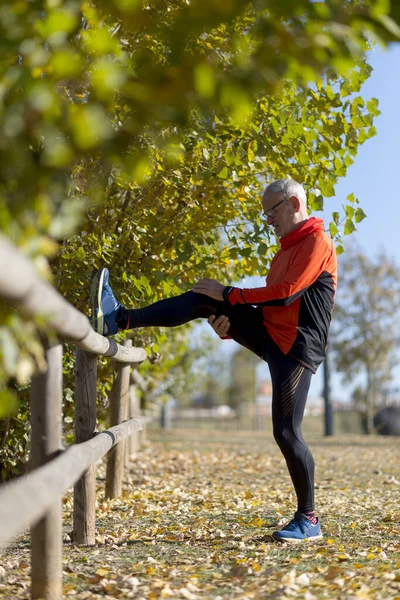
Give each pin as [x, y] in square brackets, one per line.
[118, 413]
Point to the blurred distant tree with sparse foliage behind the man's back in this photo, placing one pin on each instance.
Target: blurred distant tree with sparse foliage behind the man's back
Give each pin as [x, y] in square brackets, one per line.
[365, 329]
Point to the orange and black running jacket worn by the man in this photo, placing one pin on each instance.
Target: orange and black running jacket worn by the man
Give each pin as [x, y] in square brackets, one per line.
[298, 298]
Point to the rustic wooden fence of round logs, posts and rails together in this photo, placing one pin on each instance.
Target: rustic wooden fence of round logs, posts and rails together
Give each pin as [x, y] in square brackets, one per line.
[36, 499]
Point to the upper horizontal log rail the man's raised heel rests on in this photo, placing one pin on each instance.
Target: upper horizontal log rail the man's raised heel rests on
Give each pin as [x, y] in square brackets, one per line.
[23, 288]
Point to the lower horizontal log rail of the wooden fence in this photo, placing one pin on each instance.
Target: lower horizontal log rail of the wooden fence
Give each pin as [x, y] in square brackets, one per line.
[26, 500]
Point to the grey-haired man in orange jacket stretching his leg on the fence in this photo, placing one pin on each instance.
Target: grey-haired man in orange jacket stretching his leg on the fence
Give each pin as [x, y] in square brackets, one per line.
[285, 322]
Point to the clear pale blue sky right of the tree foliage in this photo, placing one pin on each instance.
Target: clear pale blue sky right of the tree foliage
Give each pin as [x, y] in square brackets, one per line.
[372, 178]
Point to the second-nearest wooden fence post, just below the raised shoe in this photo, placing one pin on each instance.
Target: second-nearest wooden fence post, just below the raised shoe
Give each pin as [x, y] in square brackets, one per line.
[85, 425]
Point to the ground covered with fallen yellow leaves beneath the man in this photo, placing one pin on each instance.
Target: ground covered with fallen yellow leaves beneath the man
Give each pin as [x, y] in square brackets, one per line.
[196, 518]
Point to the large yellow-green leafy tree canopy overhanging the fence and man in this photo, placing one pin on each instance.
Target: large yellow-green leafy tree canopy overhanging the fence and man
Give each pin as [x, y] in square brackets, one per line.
[139, 134]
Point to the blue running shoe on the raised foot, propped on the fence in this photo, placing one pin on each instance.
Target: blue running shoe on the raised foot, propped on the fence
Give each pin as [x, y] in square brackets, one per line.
[104, 304]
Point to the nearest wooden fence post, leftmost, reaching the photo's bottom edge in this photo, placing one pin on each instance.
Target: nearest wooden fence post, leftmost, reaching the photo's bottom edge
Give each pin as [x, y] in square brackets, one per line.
[46, 535]
